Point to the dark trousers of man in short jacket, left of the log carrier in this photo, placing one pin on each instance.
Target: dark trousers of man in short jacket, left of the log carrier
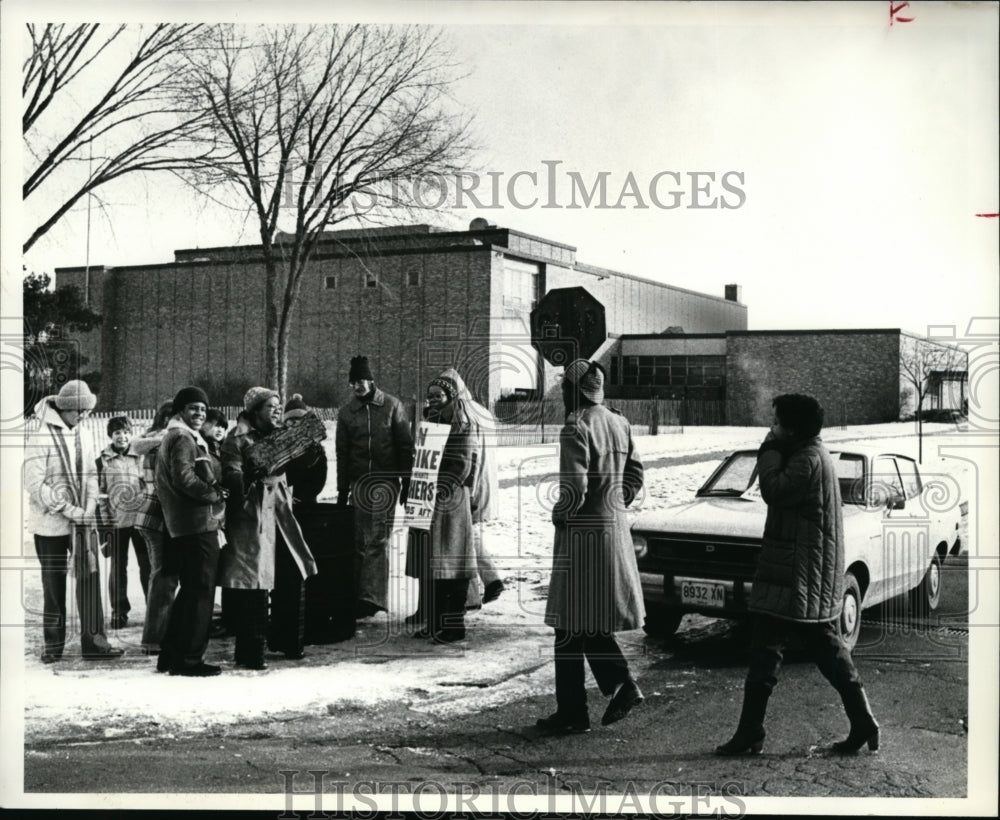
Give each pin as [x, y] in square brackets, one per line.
[191, 615]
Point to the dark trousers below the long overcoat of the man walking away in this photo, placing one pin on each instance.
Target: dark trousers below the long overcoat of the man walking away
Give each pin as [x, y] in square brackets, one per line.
[606, 662]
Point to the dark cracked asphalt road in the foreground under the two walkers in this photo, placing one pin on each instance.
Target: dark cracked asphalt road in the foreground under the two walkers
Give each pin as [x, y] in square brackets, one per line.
[916, 674]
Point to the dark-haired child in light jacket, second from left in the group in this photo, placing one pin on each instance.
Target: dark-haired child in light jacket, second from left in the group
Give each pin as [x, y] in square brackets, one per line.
[119, 474]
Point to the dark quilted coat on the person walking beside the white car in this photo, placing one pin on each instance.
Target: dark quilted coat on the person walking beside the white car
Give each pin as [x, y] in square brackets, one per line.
[800, 574]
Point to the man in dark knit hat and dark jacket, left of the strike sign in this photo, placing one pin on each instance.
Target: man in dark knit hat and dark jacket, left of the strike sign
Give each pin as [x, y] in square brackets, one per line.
[374, 454]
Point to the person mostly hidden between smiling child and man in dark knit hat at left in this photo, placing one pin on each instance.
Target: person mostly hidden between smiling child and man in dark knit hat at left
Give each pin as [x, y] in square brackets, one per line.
[163, 580]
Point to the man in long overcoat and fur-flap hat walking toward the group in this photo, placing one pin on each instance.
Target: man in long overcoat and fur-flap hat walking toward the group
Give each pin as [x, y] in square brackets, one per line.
[595, 589]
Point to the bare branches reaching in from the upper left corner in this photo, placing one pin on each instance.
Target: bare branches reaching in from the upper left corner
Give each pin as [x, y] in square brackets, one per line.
[98, 106]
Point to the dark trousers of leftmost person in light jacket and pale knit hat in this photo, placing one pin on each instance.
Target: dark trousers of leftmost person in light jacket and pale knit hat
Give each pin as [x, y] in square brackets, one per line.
[54, 554]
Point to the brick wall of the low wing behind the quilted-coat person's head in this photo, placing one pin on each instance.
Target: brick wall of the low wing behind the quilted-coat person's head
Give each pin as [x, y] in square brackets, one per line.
[853, 374]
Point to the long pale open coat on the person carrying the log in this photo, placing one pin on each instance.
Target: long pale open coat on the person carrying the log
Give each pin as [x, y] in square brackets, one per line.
[255, 514]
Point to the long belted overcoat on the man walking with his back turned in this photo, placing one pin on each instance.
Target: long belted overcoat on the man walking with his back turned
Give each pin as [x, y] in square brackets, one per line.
[595, 586]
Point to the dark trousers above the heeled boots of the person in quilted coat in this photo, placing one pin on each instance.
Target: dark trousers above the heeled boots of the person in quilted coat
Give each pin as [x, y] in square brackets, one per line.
[771, 635]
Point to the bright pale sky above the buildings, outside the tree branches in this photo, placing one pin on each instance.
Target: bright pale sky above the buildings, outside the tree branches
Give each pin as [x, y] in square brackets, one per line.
[856, 154]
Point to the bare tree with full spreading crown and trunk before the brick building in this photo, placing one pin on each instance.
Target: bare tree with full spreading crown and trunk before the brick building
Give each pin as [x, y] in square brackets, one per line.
[325, 123]
